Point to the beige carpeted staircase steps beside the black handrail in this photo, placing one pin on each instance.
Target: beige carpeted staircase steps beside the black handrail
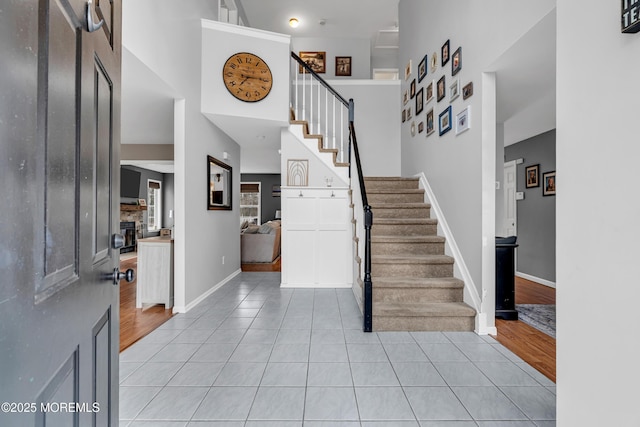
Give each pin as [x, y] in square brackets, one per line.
[413, 284]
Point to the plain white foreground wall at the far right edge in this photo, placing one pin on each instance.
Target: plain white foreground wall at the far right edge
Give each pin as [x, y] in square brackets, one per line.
[598, 343]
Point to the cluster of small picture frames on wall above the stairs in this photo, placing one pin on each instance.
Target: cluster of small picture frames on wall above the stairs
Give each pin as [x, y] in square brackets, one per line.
[435, 78]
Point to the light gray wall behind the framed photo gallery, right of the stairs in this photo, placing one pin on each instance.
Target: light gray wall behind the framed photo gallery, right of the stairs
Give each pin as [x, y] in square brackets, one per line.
[453, 164]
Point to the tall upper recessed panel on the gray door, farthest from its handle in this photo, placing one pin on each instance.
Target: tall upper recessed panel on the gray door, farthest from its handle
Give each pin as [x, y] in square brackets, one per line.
[58, 80]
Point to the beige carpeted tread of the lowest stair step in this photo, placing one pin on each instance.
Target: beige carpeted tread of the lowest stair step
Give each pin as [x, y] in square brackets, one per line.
[436, 309]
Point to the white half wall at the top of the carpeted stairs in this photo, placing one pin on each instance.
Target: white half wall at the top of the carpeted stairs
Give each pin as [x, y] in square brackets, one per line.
[376, 121]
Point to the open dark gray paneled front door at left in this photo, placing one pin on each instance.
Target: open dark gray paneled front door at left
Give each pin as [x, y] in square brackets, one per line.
[59, 197]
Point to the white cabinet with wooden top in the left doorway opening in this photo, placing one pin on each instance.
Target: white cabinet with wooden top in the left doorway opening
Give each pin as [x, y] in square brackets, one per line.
[155, 272]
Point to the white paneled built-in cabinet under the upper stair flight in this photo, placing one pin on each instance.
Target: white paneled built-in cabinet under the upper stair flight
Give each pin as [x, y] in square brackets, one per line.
[316, 237]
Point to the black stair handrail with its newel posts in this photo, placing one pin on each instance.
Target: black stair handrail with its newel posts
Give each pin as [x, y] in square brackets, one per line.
[368, 214]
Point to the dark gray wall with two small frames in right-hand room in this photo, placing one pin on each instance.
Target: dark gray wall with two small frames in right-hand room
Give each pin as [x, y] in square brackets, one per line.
[536, 254]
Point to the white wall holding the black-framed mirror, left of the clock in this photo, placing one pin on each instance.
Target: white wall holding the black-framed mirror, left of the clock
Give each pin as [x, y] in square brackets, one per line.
[166, 36]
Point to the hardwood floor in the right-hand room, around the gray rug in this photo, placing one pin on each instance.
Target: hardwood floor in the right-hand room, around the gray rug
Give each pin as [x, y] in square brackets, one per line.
[531, 345]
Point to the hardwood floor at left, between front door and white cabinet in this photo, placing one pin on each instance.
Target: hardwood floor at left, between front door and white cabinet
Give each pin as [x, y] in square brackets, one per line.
[135, 323]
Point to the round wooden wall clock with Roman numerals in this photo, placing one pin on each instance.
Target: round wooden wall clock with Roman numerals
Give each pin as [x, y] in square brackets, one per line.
[247, 77]
